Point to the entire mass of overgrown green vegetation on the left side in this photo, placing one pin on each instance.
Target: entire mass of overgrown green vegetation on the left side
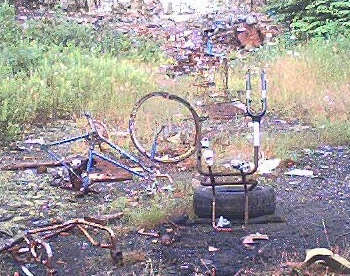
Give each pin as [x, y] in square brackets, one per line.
[55, 68]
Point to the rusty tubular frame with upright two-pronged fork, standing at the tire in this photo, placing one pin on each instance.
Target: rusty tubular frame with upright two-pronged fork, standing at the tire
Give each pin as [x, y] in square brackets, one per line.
[240, 171]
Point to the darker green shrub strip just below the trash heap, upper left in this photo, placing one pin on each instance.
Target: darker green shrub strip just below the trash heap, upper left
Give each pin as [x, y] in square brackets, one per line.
[63, 32]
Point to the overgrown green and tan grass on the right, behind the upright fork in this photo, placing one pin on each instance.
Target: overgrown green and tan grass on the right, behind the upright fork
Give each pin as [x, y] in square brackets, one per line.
[308, 83]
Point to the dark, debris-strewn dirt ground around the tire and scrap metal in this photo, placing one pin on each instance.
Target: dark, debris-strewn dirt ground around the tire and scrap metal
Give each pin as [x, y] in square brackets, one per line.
[309, 206]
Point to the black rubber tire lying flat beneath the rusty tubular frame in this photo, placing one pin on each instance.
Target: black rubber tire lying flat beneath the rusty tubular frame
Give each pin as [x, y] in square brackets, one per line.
[230, 202]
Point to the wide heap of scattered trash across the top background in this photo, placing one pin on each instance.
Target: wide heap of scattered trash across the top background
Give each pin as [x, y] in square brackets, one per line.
[197, 38]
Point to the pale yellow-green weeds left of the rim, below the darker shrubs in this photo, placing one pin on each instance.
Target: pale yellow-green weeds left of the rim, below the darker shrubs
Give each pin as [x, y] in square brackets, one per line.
[70, 81]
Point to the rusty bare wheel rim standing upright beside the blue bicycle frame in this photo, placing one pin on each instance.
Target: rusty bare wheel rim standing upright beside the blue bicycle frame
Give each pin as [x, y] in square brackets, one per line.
[165, 158]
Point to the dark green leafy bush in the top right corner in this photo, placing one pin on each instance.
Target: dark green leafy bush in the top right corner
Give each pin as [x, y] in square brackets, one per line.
[312, 18]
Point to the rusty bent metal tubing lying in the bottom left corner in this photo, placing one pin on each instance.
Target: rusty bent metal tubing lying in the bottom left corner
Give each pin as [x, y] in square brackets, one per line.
[28, 248]
